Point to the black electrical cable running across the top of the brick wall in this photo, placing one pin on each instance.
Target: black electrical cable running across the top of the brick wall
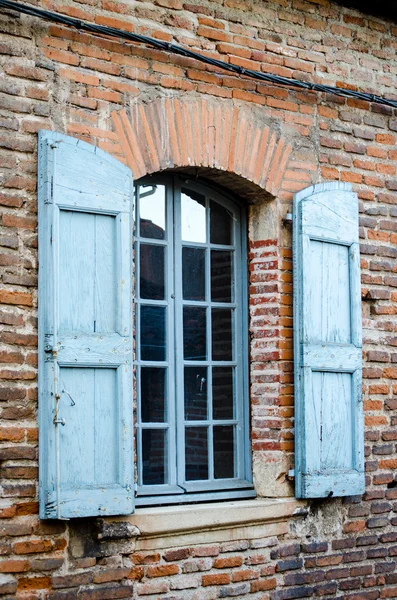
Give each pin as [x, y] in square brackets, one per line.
[174, 49]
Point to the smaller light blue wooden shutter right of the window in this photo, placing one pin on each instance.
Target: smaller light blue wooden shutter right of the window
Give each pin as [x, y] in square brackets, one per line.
[327, 343]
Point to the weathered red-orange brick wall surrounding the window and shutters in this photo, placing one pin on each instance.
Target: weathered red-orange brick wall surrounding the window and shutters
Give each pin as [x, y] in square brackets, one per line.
[125, 98]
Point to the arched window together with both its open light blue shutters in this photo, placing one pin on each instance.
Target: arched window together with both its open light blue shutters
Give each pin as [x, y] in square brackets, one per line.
[190, 339]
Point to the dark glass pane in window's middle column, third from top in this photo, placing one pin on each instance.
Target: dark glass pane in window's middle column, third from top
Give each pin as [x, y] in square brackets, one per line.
[194, 333]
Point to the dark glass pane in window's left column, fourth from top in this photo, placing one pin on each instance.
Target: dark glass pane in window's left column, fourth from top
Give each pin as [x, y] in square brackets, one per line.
[153, 395]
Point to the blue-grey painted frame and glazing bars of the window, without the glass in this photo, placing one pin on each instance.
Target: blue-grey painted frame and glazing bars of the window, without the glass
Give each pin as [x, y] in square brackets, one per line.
[240, 486]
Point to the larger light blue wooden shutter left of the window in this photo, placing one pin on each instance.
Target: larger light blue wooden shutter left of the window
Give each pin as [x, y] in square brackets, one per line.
[85, 322]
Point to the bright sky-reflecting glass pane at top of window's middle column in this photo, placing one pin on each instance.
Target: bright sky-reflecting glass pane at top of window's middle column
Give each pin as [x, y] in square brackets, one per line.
[193, 216]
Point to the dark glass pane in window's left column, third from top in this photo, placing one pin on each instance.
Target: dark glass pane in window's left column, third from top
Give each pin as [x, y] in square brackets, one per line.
[153, 333]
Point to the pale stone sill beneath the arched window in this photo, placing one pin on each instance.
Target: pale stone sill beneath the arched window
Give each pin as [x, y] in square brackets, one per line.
[170, 526]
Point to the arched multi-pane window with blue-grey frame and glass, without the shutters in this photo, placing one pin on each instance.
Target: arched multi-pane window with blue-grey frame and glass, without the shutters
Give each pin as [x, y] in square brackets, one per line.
[191, 348]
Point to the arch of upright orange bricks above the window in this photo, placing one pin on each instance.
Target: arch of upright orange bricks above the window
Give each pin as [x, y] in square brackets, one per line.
[170, 133]
